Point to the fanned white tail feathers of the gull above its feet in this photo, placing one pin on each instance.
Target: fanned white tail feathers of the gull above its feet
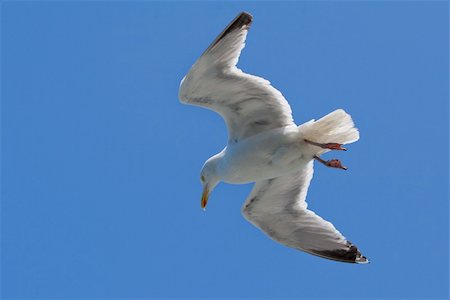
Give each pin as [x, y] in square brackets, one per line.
[336, 127]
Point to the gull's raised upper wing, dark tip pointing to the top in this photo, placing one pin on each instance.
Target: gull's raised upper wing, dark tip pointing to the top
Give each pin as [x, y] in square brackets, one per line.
[249, 104]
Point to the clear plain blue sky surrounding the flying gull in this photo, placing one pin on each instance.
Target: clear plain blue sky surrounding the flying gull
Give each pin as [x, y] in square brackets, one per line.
[101, 163]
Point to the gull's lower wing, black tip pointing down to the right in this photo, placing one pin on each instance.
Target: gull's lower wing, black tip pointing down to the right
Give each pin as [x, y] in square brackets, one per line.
[277, 206]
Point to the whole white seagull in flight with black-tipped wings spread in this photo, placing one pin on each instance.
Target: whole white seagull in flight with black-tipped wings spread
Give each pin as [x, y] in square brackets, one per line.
[265, 146]
